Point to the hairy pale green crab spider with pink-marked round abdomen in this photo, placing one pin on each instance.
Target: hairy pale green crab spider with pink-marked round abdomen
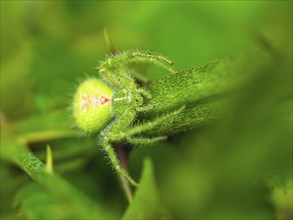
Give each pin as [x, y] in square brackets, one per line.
[110, 106]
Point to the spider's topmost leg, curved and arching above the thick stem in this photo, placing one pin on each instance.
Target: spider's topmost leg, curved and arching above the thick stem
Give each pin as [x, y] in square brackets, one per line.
[130, 56]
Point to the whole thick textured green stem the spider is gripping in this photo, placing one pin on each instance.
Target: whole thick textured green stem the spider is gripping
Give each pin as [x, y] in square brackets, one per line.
[205, 91]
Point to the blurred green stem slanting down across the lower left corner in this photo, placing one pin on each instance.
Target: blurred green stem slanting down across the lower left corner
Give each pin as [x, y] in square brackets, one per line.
[14, 150]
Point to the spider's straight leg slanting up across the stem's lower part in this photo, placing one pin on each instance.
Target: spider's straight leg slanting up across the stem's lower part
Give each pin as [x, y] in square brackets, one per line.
[144, 127]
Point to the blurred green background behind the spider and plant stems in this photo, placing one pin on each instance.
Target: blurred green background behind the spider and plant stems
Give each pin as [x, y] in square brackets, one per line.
[219, 172]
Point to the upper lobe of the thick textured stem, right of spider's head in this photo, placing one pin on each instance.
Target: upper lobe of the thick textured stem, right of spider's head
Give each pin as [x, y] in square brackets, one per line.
[210, 80]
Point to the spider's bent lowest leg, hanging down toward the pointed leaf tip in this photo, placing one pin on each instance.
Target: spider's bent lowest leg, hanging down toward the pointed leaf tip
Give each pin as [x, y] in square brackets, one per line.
[119, 124]
